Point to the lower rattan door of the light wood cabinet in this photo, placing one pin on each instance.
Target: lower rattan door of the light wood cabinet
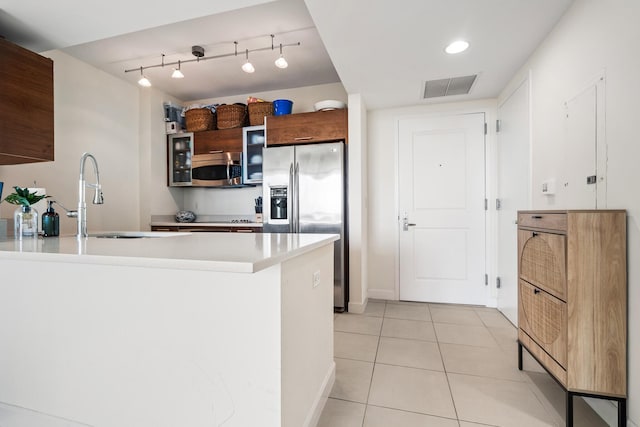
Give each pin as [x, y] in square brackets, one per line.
[544, 318]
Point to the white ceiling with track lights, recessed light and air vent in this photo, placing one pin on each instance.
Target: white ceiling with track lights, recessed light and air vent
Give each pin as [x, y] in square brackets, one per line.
[383, 50]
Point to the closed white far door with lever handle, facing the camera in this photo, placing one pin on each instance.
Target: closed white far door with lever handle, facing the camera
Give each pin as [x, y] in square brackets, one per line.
[441, 194]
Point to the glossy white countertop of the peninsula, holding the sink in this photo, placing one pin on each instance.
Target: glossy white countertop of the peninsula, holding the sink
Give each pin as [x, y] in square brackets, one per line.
[225, 252]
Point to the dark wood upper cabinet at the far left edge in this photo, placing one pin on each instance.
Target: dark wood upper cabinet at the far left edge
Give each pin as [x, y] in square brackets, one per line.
[26, 106]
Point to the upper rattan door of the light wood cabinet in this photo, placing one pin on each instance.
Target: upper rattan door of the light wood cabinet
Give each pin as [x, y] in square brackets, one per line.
[542, 261]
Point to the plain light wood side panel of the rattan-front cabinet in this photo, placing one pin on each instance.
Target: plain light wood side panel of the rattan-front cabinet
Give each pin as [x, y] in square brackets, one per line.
[596, 268]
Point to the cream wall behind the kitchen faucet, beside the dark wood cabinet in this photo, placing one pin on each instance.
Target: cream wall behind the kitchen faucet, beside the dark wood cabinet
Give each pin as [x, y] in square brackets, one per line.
[97, 113]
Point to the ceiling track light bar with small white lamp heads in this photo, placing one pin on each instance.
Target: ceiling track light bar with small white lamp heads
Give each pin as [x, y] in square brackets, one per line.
[198, 52]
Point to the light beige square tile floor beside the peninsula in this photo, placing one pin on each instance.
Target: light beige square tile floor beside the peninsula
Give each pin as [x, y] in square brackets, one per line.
[415, 364]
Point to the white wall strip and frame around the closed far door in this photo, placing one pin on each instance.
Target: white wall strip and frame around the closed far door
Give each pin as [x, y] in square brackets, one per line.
[382, 229]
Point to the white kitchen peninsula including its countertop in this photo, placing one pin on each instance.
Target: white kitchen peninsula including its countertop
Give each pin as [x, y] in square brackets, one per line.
[202, 329]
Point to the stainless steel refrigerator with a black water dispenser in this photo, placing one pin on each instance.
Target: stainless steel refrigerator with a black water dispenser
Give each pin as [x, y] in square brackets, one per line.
[304, 191]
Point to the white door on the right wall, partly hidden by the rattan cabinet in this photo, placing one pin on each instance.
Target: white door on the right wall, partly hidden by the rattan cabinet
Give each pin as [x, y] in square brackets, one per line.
[513, 193]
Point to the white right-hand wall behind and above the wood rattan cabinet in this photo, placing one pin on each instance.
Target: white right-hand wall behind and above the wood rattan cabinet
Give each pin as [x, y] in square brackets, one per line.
[593, 38]
